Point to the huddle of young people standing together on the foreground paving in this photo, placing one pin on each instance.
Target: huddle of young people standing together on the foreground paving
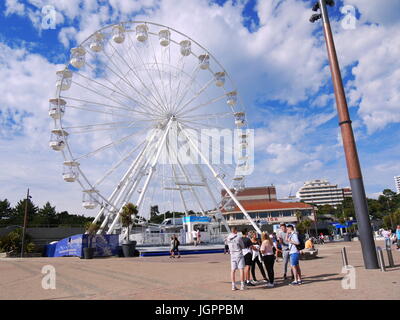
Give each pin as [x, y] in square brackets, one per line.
[250, 250]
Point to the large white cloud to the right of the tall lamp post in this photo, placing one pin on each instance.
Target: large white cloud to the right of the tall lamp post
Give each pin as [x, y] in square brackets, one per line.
[373, 51]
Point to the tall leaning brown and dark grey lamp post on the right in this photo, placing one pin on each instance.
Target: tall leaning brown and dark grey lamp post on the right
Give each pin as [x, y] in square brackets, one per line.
[349, 144]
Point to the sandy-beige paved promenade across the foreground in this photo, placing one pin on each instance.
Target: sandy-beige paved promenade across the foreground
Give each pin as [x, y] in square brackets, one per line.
[192, 277]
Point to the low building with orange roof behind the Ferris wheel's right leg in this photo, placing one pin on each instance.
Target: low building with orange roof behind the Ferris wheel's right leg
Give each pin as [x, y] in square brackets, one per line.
[262, 205]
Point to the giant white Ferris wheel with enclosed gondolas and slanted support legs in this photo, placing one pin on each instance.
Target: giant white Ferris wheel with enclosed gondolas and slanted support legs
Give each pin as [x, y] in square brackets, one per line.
[131, 110]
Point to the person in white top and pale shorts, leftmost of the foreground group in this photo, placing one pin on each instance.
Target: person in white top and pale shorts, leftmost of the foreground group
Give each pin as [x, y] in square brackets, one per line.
[236, 245]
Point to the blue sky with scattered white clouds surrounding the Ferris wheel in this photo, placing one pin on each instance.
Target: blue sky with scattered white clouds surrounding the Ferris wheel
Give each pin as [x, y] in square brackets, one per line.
[276, 57]
